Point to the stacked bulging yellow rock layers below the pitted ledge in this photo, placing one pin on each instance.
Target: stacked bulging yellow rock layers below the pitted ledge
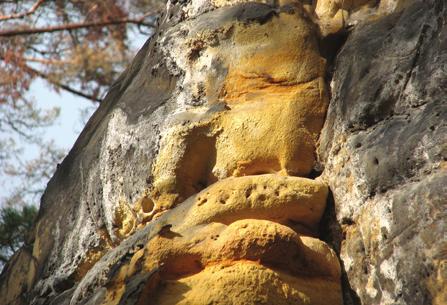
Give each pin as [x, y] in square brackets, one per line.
[264, 251]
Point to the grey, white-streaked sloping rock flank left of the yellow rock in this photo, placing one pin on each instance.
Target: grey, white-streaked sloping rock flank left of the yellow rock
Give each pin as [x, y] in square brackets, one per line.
[76, 212]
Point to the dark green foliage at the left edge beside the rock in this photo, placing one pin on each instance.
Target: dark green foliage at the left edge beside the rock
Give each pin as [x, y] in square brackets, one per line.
[15, 223]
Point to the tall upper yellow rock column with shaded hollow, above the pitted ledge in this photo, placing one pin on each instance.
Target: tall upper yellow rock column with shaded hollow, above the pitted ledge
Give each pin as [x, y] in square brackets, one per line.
[273, 102]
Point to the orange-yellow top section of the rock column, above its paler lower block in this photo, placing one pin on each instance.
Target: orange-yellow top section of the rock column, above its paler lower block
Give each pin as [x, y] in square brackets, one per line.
[272, 59]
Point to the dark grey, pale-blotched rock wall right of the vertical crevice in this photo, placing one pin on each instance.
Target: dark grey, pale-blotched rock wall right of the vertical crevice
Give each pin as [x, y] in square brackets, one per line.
[384, 151]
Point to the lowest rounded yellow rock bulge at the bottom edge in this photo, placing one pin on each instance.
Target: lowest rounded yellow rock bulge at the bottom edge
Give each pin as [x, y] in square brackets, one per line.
[247, 283]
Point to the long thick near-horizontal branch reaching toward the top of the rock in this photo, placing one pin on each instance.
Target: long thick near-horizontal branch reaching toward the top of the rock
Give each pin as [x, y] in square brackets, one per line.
[73, 26]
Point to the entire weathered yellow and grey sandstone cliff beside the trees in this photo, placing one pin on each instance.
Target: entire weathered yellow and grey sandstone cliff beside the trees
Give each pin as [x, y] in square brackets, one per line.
[194, 182]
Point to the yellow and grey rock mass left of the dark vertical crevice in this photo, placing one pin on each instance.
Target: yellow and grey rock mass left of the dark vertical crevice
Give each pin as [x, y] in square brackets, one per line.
[223, 98]
